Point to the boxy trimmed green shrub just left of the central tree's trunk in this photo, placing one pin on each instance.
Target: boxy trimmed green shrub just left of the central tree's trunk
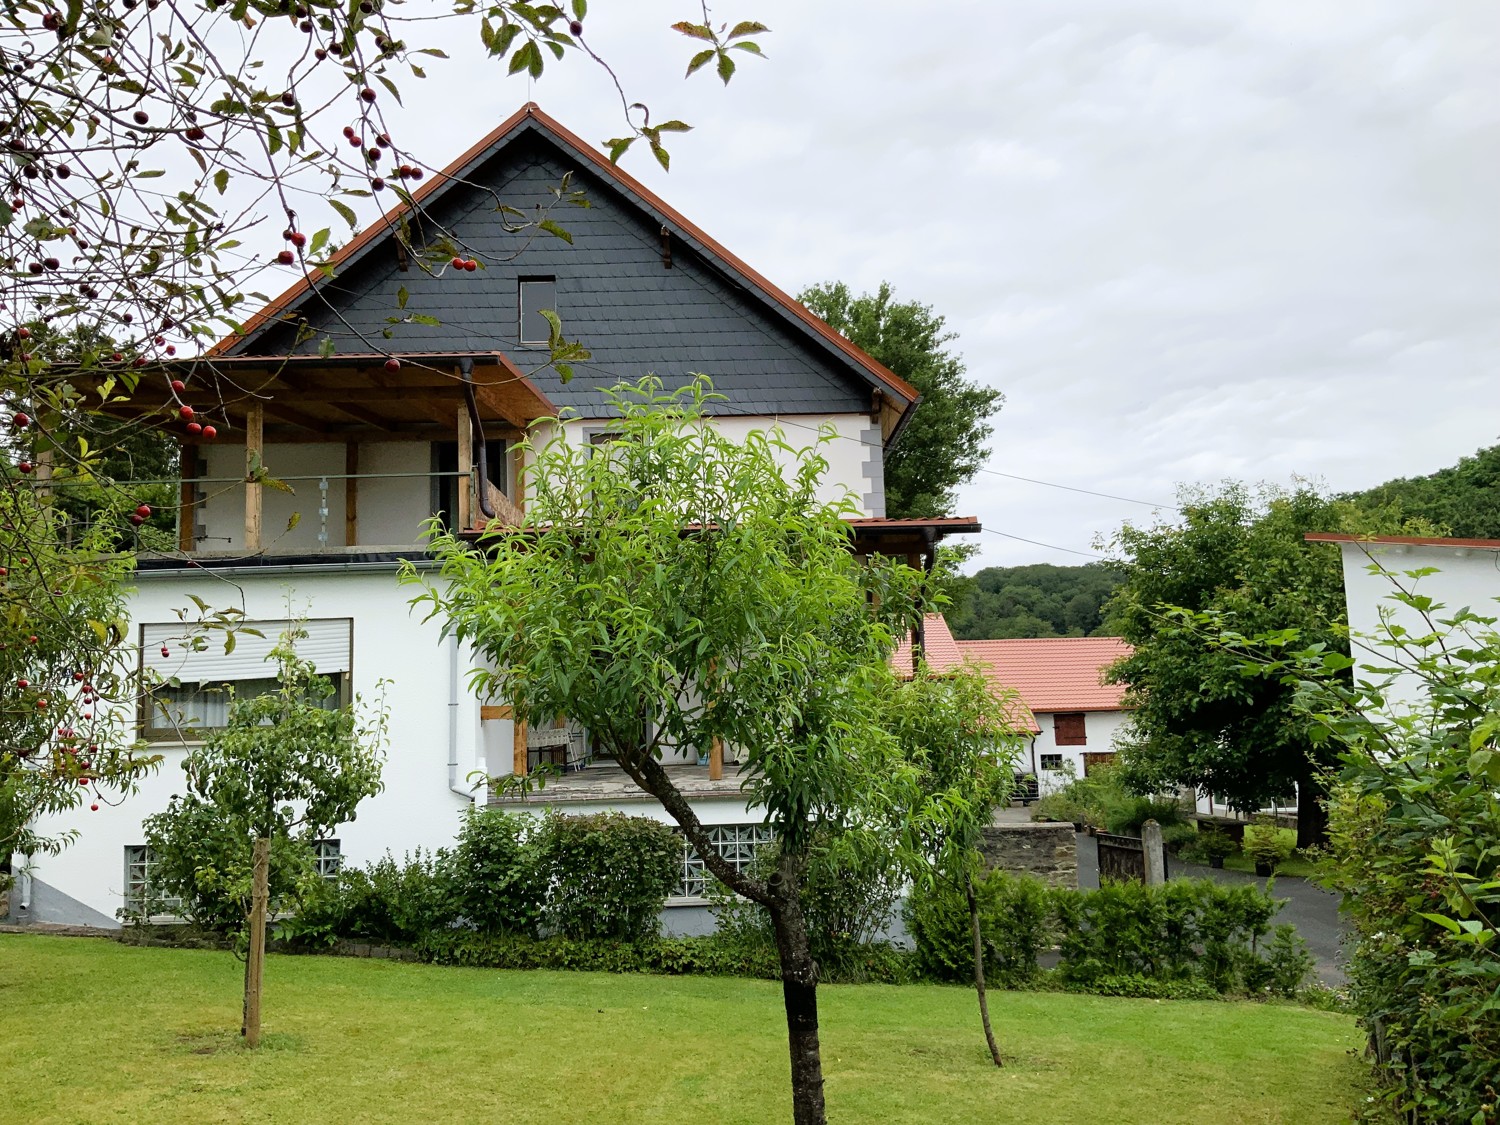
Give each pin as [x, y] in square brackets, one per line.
[608, 875]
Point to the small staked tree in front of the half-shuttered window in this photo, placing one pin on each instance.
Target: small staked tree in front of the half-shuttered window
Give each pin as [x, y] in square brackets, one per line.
[286, 767]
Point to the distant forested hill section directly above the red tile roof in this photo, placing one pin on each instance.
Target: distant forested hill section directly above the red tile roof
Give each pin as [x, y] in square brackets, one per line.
[1034, 601]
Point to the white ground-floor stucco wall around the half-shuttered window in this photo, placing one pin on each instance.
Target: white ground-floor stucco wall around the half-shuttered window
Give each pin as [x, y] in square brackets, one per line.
[391, 643]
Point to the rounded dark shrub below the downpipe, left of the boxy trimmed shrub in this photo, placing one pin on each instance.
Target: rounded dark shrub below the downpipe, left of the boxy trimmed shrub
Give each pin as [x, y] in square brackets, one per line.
[497, 874]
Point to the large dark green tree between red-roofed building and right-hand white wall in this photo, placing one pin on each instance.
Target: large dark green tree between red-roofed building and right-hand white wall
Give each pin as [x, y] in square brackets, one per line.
[1196, 721]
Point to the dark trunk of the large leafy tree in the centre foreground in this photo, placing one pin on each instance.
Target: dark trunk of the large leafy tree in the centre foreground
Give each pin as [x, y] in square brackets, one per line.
[799, 995]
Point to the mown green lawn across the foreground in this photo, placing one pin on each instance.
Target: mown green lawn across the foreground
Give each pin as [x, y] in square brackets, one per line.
[92, 1031]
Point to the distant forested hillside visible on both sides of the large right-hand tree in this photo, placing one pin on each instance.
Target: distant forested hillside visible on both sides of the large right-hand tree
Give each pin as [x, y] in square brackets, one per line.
[1048, 601]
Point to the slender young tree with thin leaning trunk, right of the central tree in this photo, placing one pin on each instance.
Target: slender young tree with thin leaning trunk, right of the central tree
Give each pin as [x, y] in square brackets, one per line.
[961, 739]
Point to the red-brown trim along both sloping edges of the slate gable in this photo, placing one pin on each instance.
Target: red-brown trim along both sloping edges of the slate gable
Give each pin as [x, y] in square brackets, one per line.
[623, 179]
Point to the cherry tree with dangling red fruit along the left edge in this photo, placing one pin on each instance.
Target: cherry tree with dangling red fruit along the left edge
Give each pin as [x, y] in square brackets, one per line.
[142, 148]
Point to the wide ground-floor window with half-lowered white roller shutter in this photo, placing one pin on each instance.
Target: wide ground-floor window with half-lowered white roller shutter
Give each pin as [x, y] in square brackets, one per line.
[193, 692]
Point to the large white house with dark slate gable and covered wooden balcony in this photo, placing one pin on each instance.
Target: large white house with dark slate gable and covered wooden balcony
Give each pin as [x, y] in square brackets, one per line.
[373, 449]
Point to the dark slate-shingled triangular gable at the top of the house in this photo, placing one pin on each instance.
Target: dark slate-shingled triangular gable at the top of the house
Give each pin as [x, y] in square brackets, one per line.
[707, 314]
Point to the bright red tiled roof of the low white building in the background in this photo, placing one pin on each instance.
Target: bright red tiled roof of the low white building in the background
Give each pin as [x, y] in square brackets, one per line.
[1057, 673]
